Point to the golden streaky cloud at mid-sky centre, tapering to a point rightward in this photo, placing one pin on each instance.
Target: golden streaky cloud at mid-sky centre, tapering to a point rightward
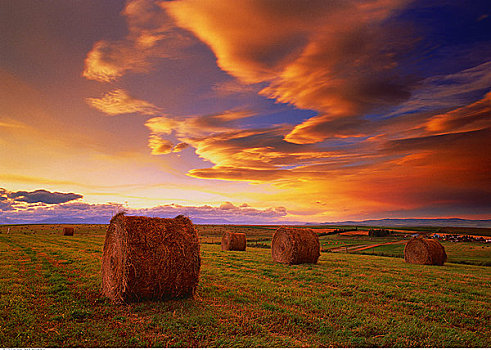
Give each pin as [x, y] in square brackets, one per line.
[218, 138]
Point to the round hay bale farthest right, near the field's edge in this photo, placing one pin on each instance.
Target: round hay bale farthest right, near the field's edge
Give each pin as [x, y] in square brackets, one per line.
[424, 251]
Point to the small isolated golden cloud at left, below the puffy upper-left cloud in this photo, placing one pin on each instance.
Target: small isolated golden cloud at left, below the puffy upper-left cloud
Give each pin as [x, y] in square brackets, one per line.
[119, 101]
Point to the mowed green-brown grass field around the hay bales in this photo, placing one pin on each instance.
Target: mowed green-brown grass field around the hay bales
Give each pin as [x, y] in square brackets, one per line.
[50, 297]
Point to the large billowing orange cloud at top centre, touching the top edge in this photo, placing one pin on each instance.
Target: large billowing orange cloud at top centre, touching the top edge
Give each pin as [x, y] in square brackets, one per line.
[334, 57]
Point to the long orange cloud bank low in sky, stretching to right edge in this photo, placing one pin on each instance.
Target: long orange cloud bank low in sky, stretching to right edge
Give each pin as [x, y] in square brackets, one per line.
[348, 177]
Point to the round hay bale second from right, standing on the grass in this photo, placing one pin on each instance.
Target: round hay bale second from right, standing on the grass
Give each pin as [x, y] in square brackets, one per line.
[295, 246]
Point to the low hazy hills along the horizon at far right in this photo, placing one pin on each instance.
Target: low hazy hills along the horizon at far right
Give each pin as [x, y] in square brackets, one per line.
[453, 222]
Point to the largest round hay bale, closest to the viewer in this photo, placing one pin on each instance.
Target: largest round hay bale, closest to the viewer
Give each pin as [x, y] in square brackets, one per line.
[150, 258]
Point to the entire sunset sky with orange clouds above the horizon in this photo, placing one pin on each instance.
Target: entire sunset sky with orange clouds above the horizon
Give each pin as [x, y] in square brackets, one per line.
[245, 111]
